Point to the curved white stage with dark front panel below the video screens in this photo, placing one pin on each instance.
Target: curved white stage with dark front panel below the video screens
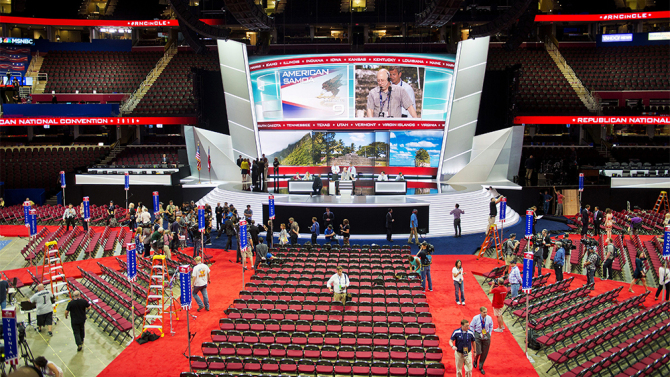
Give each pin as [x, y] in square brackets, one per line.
[366, 213]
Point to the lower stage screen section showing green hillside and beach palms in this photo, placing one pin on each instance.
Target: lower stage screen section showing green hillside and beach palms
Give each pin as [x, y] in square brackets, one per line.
[315, 148]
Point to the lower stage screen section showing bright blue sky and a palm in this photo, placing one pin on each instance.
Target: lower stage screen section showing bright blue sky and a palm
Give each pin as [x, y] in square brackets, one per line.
[415, 148]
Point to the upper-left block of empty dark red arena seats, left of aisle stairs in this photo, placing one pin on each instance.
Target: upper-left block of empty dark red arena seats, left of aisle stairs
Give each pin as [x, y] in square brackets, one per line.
[102, 71]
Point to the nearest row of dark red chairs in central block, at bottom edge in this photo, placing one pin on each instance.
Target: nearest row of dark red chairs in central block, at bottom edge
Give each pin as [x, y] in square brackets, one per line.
[255, 367]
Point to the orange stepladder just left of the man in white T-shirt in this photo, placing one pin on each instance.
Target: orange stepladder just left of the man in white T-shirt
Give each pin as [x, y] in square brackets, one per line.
[155, 305]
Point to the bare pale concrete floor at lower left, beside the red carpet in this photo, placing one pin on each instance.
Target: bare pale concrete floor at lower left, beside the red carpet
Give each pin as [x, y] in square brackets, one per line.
[99, 348]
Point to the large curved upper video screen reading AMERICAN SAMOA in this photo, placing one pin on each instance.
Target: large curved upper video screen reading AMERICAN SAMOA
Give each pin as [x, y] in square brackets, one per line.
[372, 91]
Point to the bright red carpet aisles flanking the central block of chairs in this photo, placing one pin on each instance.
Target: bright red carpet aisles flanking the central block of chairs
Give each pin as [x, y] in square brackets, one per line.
[164, 356]
